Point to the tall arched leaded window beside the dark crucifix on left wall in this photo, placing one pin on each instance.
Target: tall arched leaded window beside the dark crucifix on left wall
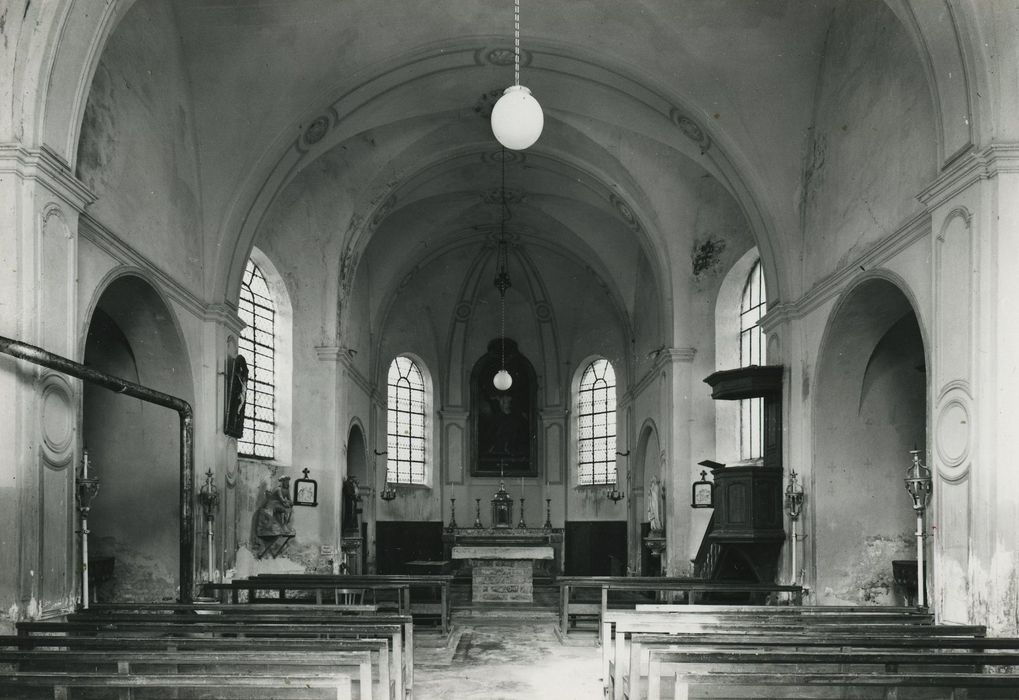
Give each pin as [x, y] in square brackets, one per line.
[258, 344]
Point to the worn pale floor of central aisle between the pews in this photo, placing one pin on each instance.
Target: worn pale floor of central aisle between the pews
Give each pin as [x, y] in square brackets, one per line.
[511, 661]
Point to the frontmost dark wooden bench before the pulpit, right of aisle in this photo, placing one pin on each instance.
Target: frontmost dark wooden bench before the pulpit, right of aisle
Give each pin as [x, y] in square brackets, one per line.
[656, 586]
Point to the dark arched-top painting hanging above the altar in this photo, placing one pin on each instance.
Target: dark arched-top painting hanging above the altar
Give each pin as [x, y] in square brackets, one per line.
[504, 423]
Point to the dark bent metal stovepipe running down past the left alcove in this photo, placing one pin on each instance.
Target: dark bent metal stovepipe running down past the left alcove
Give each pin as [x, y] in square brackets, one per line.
[38, 356]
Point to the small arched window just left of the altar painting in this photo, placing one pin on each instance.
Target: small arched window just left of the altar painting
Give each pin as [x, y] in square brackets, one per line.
[406, 414]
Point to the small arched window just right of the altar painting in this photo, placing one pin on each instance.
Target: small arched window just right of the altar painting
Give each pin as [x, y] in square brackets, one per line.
[597, 424]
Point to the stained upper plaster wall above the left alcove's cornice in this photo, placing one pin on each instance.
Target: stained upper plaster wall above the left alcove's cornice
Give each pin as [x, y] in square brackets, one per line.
[137, 150]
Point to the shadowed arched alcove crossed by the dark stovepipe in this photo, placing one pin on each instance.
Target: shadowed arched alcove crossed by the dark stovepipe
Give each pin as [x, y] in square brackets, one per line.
[134, 447]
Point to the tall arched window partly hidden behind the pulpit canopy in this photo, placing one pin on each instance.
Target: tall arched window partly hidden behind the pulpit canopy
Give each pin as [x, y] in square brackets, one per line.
[754, 306]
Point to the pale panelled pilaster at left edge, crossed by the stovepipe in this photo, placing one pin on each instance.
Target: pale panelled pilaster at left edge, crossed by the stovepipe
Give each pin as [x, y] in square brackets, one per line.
[40, 201]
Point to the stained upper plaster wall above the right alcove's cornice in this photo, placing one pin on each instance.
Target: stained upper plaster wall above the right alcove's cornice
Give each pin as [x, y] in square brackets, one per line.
[873, 147]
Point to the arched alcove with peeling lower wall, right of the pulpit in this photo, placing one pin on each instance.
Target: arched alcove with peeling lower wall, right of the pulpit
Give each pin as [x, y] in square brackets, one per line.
[870, 411]
